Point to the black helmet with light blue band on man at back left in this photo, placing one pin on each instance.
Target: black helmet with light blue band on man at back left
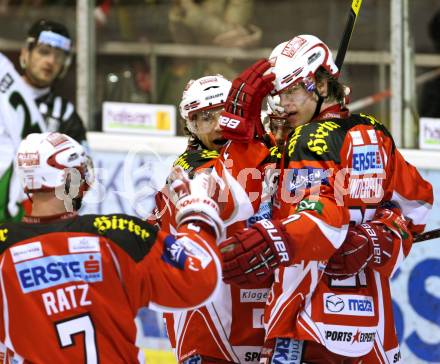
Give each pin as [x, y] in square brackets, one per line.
[53, 34]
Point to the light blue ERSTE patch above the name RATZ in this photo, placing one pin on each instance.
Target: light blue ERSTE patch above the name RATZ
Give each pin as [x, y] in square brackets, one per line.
[42, 273]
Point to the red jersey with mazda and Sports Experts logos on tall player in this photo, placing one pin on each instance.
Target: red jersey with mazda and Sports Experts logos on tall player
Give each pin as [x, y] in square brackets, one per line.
[338, 169]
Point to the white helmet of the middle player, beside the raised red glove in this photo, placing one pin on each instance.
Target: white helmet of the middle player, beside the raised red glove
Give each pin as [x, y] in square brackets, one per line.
[204, 93]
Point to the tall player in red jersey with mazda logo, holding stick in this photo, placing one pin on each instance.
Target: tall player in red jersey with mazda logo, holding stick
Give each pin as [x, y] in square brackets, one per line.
[338, 169]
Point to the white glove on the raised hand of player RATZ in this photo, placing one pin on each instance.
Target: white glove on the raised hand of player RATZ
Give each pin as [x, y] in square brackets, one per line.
[192, 200]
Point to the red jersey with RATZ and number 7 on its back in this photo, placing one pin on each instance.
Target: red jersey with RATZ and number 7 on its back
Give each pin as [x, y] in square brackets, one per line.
[71, 288]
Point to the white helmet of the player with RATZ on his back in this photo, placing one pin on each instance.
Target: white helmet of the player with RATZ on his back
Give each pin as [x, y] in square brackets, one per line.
[43, 162]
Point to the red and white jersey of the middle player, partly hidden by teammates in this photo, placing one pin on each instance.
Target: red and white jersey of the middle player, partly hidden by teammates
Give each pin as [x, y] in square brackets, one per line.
[230, 327]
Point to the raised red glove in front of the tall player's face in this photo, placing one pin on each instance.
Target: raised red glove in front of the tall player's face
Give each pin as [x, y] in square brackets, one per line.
[243, 105]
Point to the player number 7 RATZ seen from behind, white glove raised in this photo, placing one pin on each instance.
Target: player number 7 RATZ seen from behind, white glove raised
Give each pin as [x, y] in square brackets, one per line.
[71, 285]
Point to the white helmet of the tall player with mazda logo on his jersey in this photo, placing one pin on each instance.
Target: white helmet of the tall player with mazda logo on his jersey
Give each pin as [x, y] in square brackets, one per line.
[298, 59]
